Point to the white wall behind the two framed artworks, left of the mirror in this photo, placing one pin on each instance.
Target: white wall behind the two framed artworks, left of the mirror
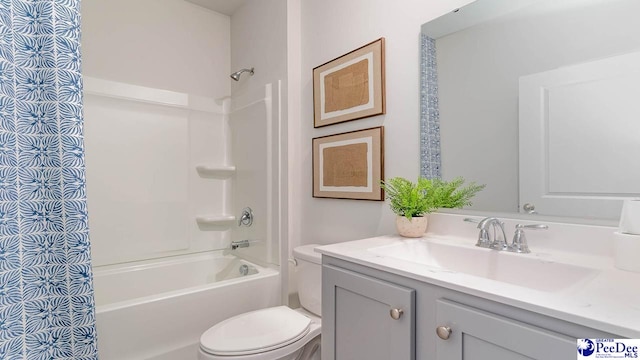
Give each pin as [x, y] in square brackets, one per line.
[330, 28]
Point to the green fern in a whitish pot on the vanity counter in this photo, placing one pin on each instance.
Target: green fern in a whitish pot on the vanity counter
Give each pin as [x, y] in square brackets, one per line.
[412, 202]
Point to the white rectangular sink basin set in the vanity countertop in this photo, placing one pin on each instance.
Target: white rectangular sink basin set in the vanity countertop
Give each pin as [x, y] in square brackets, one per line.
[517, 269]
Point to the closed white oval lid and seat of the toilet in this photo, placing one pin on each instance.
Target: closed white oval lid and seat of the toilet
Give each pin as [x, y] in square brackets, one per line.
[255, 332]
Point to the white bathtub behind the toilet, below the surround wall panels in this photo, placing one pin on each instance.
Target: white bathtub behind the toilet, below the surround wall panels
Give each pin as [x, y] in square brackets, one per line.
[158, 309]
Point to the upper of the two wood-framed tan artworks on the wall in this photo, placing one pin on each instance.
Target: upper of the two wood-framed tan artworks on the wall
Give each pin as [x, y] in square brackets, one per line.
[350, 87]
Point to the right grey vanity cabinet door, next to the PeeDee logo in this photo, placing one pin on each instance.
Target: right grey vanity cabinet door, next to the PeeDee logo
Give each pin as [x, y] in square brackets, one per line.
[477, 334]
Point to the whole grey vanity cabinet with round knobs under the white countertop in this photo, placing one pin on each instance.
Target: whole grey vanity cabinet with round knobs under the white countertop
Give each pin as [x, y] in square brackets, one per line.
[358, 303]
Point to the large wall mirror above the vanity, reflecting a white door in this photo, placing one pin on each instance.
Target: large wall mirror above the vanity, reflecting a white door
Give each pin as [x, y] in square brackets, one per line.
[582, 145]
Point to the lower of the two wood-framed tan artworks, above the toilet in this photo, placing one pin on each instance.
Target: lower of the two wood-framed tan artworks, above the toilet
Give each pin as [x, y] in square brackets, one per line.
[349, 165]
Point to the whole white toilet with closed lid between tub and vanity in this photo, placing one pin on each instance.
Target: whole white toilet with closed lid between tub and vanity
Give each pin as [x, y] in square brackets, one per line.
[277, 333]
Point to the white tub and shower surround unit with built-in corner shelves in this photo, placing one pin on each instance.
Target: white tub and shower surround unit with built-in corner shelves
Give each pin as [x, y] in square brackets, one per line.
[204, 161]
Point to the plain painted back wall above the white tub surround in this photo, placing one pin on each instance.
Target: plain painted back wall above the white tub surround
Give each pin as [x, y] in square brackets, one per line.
[166, 44]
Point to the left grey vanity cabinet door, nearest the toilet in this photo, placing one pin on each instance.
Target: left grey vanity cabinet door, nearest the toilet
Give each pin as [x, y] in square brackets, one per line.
[357, 323]
